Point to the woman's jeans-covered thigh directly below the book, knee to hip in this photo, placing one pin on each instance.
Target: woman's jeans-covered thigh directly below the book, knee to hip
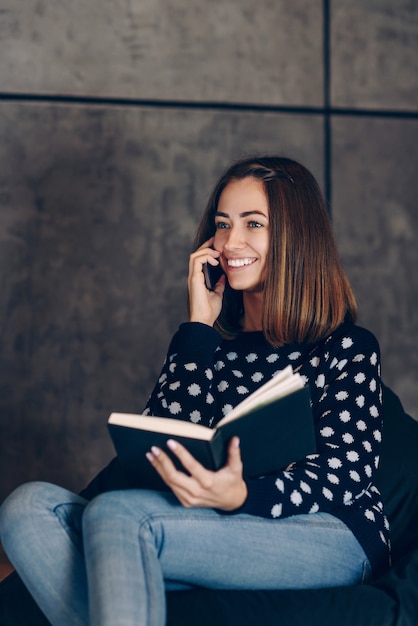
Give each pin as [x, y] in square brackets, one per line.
[205, 547]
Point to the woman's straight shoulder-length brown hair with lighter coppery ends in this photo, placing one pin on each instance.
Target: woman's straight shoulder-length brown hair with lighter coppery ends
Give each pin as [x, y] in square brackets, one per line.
[306, 293]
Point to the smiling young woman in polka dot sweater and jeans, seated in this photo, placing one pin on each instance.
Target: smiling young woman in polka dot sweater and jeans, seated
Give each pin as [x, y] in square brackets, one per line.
[283, 298]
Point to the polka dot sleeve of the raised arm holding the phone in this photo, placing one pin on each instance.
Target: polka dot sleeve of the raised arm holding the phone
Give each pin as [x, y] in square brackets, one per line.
[184, 387]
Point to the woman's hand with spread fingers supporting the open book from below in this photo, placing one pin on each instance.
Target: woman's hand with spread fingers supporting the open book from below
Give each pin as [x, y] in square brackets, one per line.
[224, 489]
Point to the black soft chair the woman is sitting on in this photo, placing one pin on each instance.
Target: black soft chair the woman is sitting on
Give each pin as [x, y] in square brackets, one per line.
[390, 600]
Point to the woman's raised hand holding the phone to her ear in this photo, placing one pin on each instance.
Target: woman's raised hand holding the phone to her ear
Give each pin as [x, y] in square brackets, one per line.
[205, 305]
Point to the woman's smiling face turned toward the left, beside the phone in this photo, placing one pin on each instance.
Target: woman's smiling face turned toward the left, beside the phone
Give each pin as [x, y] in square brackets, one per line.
[242, 233]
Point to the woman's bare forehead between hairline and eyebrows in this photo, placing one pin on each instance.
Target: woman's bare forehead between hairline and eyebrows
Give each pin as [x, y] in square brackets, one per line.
[239, 196]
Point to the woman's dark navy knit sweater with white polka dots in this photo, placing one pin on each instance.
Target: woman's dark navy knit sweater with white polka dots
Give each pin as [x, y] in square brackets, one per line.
[205, 376]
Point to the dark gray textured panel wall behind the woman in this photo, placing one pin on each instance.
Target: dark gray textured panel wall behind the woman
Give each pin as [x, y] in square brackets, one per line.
[116, 117]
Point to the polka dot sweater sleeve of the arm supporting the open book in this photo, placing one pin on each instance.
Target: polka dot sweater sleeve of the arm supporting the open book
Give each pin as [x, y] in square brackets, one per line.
[346, 395]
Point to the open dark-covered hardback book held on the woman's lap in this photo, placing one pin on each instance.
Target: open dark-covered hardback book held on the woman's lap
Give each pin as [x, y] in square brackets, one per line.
[274, 424]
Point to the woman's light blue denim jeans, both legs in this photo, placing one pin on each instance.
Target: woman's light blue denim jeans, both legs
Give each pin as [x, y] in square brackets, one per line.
[110, 561]
